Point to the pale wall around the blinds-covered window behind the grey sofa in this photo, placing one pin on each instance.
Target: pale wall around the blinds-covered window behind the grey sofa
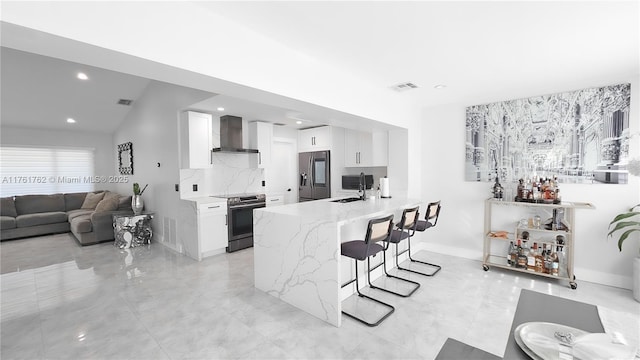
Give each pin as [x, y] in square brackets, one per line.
[104, 151]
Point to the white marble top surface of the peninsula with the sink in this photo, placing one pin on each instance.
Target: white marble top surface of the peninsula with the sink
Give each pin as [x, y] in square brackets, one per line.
[342, 213]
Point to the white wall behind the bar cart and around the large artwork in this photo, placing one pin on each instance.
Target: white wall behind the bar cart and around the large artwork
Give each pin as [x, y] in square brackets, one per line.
[460, 228]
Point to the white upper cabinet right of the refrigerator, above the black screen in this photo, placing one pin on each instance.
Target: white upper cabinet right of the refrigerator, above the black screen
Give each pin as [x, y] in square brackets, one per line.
[363, 149]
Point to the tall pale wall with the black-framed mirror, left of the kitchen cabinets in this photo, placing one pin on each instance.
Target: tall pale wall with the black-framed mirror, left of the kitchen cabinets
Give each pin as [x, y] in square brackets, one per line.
[152, 127]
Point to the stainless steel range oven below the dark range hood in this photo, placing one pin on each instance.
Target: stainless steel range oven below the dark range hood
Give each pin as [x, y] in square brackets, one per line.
[240, 214]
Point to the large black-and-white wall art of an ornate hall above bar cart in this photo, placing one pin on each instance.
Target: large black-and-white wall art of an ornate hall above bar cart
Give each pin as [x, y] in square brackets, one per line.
[579, 137]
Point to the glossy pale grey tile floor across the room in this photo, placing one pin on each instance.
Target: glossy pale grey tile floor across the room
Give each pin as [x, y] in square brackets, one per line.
[64, 301]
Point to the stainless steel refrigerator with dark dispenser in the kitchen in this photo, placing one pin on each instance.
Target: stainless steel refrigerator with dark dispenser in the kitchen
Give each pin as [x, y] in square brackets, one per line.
[315, 175]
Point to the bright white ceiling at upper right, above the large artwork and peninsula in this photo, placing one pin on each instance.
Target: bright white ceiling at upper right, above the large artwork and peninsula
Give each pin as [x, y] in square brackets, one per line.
[482, 50]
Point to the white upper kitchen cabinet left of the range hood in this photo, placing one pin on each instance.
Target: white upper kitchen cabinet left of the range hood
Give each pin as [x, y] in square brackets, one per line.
[196, 140]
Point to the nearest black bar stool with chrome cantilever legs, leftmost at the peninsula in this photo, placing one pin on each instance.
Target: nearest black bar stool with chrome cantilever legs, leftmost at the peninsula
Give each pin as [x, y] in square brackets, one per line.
[378, 230]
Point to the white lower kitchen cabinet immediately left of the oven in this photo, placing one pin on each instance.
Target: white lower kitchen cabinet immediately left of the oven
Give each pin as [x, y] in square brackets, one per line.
[212, 229]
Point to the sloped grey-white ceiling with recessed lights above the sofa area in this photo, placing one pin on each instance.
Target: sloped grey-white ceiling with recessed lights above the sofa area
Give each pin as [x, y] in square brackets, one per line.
[42, 92]
